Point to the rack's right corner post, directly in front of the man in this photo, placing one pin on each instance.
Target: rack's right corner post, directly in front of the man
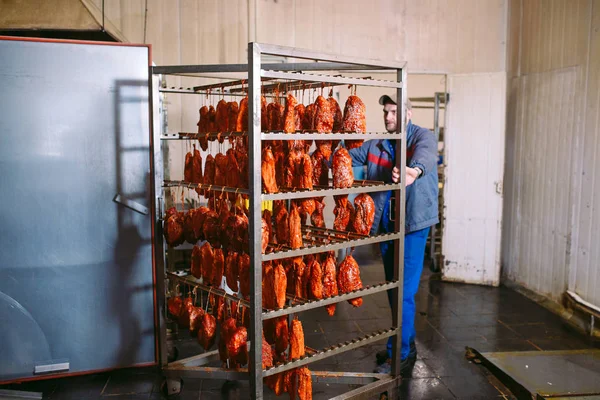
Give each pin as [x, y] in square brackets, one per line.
[400, 200]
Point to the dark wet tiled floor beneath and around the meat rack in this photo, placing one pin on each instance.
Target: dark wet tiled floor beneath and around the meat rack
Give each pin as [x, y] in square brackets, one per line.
[449, 317]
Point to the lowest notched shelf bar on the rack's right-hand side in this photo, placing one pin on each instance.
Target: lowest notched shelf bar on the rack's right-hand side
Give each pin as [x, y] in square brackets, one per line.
[331, 351]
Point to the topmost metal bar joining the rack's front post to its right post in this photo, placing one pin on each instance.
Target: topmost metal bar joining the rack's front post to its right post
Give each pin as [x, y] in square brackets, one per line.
[294, 52]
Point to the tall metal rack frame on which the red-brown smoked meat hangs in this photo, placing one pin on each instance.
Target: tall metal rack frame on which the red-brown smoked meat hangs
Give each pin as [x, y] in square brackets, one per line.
[328, 239]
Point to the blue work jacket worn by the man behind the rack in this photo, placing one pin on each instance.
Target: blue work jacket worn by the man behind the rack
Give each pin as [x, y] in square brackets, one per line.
[421, 196]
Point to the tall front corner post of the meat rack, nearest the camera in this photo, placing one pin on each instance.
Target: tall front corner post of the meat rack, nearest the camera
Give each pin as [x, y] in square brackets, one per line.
[255, 362]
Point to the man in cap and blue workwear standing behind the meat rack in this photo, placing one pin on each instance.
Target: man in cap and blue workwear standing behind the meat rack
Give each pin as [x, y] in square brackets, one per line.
[421, 213]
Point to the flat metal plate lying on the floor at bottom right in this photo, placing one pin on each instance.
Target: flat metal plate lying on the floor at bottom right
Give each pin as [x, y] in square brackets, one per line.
[552, 374]
